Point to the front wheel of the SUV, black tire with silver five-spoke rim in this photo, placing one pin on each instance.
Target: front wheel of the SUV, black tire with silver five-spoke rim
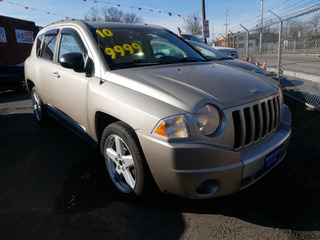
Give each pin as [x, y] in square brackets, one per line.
[124, 160]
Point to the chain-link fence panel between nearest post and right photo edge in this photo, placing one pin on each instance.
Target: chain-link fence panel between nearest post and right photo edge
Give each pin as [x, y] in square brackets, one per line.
[300, 58]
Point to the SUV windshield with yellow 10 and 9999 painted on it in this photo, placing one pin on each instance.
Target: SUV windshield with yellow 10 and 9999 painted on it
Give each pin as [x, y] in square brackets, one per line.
[128, 46]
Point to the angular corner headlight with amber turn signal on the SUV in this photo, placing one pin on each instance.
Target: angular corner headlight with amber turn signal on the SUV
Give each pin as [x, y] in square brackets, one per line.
[173, 127]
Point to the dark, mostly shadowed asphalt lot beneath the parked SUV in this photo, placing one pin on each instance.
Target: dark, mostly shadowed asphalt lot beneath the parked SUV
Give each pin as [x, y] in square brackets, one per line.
[52, 186]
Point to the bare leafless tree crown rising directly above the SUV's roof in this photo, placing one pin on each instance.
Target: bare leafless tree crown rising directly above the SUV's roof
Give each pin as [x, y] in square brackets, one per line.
[112, 15]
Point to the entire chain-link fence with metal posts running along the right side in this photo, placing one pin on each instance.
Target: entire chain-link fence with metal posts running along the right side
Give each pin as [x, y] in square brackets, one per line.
[296, 62]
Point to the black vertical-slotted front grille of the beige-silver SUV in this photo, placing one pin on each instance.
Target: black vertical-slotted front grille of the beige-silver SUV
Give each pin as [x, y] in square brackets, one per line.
[255, 122]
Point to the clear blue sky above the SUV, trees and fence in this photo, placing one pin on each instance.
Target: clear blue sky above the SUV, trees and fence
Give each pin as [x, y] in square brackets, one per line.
[245, 12]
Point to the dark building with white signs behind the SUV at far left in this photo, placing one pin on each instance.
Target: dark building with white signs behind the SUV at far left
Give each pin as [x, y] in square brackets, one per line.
[16, 38]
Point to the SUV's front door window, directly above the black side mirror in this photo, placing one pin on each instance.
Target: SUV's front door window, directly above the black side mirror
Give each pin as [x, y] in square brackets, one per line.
[70, 43]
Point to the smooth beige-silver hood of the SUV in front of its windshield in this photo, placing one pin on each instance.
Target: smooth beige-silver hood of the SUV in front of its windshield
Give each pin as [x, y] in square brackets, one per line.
[188, 86]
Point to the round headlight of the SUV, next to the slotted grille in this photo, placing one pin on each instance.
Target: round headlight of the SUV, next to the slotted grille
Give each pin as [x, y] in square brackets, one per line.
[208, 119]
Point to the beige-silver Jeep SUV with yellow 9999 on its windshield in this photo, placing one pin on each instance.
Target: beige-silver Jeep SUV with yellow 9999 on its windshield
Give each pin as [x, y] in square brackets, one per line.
[157, 109]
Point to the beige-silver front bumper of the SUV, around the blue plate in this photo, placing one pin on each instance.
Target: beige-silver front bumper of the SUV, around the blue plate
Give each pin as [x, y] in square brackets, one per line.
[201, 170]
